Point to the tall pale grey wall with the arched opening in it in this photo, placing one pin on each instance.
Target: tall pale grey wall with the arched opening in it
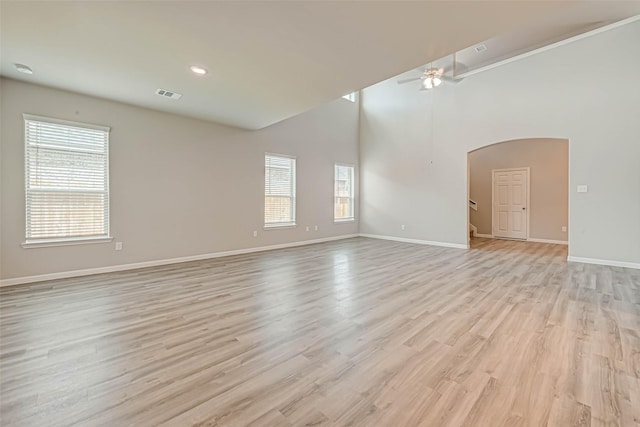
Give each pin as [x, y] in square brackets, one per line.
[414, 145]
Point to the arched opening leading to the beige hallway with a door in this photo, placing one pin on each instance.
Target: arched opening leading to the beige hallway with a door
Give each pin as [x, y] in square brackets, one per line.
[519, 189]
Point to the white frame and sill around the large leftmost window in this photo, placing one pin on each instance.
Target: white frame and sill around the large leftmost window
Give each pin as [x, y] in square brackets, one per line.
[31, 242]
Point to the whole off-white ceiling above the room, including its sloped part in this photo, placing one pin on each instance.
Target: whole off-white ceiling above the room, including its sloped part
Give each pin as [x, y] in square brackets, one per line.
[266, 61]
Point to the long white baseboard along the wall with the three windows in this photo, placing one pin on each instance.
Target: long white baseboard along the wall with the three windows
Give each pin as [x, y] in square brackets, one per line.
[154, 263]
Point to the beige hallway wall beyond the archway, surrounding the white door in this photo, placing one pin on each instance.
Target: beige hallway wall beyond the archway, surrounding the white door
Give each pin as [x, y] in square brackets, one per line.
[548, 161]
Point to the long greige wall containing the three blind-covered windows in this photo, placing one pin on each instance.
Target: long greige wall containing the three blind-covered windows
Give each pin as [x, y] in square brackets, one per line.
[179, 187]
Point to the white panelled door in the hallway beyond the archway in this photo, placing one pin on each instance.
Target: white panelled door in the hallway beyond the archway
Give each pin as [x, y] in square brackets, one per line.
[510, 200]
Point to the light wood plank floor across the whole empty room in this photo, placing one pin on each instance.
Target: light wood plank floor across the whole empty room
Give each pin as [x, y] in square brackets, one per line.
[355, 332]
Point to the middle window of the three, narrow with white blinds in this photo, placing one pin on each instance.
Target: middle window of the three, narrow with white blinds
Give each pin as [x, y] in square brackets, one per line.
[279, 190]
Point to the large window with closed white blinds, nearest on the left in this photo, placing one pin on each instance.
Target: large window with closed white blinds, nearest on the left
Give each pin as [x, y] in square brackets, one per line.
[67, 181]
